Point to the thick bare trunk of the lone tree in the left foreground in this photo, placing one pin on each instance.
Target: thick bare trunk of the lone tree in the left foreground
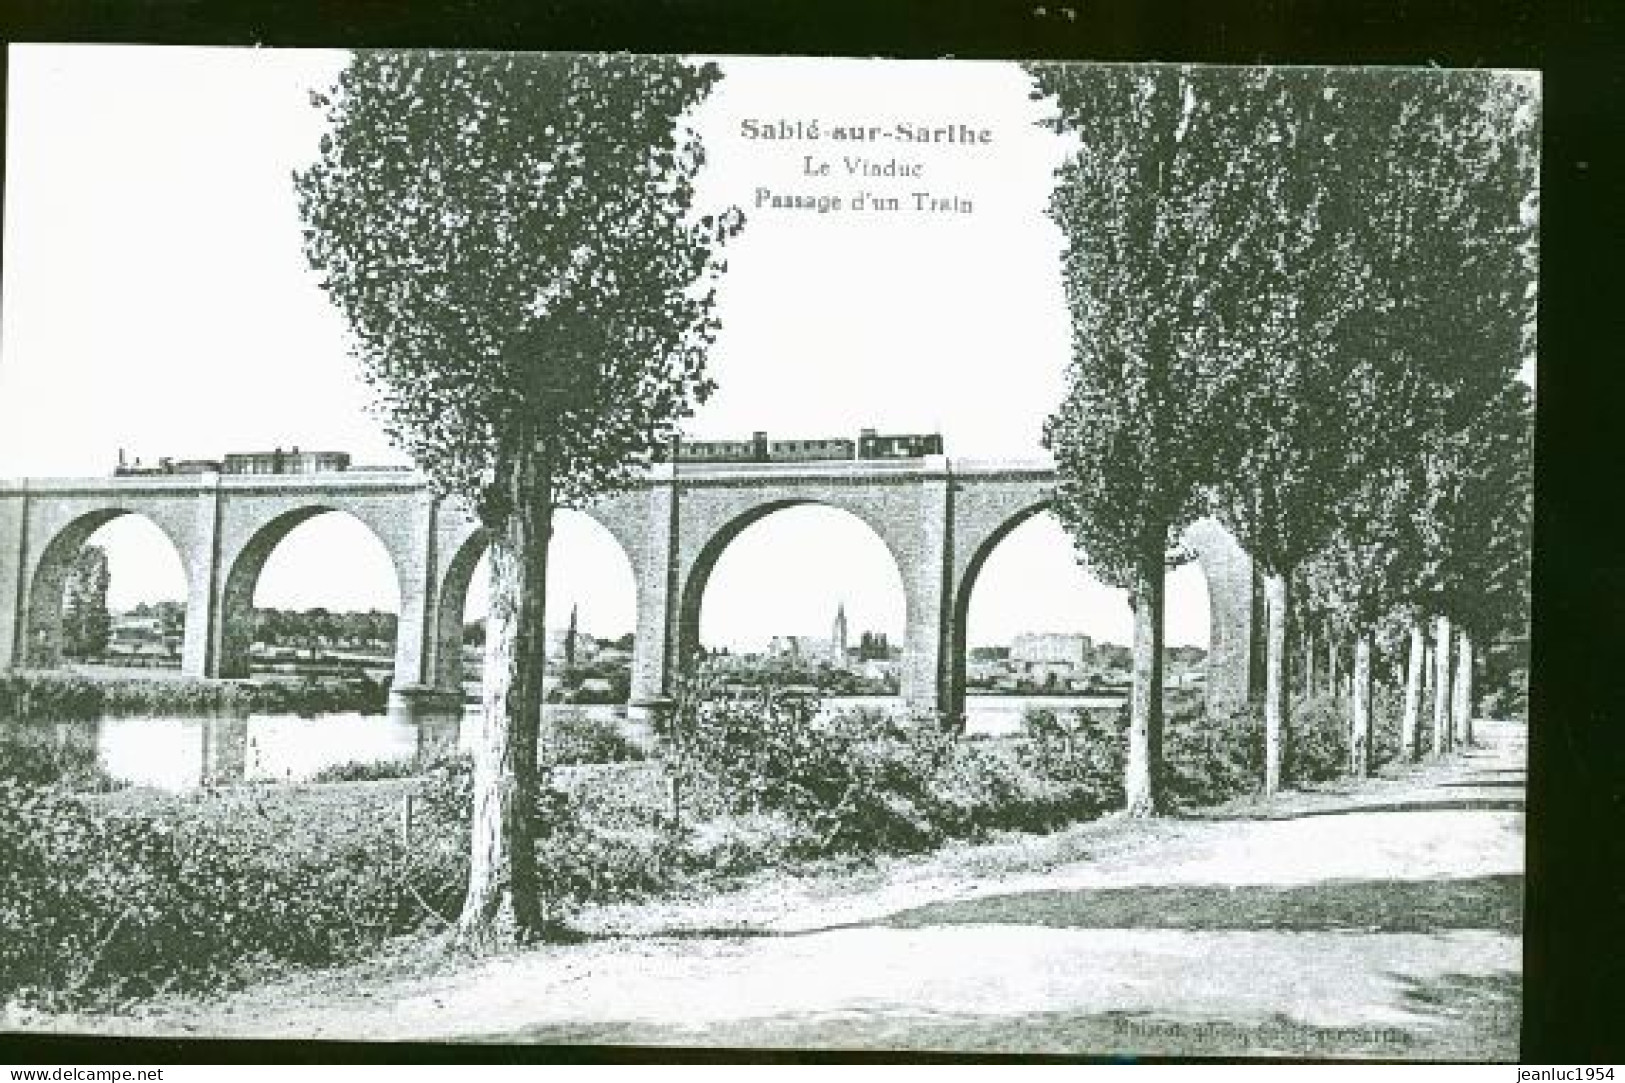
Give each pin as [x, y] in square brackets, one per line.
[503, 884]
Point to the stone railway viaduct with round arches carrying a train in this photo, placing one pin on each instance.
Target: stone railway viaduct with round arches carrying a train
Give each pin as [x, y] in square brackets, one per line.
[938, 518]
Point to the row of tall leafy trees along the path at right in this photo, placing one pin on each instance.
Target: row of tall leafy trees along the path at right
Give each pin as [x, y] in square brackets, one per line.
[1302, 302]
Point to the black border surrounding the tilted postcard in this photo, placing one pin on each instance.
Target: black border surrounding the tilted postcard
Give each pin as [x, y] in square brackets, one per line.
[1575, 959]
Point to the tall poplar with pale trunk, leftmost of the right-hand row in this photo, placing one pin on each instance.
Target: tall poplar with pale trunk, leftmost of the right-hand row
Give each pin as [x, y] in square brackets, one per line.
[1151, 222]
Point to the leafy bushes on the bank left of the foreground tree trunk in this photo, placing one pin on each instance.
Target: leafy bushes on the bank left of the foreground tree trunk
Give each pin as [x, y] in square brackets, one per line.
[98, 905]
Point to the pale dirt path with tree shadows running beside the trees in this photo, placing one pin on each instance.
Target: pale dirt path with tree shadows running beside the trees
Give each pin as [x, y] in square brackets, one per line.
[1377, 920]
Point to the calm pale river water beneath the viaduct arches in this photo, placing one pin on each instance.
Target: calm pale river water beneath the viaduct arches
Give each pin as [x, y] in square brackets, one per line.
[180, 754]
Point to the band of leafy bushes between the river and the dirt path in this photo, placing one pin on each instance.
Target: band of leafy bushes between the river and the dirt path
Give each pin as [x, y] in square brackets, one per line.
[103, 902]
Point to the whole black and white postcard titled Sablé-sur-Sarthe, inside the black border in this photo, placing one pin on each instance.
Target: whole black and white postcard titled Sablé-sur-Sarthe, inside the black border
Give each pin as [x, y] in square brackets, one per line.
[719, 552]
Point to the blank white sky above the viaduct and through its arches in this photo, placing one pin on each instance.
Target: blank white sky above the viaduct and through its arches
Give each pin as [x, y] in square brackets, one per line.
[157, 300]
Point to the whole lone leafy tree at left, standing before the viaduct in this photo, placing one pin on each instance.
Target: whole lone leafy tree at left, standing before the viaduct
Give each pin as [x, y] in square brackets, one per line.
[514, 246]
